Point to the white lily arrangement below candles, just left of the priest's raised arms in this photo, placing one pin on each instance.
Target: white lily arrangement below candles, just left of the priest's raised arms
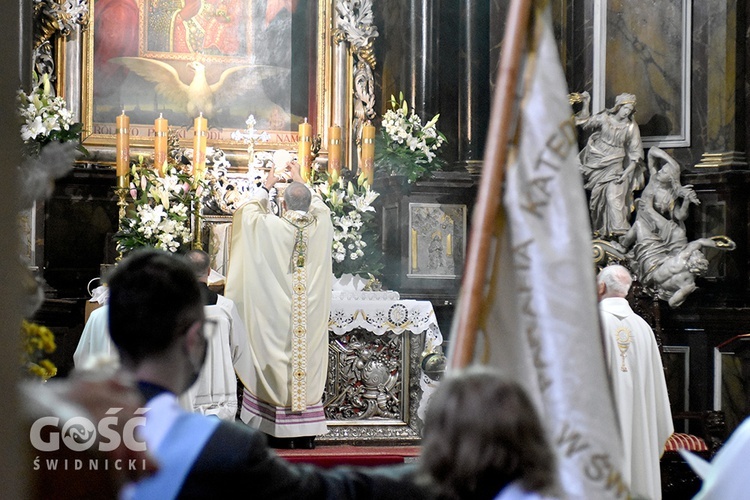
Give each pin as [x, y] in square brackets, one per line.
[162, 208]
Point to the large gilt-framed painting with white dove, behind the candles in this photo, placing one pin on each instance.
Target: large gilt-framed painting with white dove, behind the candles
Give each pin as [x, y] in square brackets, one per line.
[273, 47]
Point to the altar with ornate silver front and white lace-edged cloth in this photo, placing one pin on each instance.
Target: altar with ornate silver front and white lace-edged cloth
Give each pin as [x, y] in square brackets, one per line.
[376, 391]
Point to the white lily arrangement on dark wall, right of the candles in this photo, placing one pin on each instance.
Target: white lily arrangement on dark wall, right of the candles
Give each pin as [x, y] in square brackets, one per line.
[406, 147]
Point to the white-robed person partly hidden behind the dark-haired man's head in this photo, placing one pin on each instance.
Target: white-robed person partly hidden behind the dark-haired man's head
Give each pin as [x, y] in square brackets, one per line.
[215, 392]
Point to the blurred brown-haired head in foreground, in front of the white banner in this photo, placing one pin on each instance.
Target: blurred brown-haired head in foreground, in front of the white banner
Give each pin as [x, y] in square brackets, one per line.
[483, 440]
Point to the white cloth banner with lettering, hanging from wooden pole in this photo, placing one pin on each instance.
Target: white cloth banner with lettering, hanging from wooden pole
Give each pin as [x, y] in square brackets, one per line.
[543, 321]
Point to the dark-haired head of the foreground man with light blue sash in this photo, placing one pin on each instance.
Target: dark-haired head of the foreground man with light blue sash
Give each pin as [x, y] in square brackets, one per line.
[156, 319]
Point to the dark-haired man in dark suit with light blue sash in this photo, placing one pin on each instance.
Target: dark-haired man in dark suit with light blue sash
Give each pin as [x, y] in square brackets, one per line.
[158, 324]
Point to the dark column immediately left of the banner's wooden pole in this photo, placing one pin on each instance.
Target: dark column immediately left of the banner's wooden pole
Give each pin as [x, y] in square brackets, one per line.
[473, 82]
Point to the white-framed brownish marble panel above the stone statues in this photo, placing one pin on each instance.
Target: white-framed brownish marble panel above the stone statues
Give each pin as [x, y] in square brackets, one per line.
[643, 47]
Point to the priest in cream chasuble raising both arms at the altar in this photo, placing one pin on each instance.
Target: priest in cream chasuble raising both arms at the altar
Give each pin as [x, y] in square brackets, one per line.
[280, 274]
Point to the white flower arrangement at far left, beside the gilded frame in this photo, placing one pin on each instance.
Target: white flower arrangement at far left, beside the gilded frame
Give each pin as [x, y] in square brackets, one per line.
[46, 117]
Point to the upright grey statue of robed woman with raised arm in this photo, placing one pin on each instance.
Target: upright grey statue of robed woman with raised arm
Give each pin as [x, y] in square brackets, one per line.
[611, 164]
